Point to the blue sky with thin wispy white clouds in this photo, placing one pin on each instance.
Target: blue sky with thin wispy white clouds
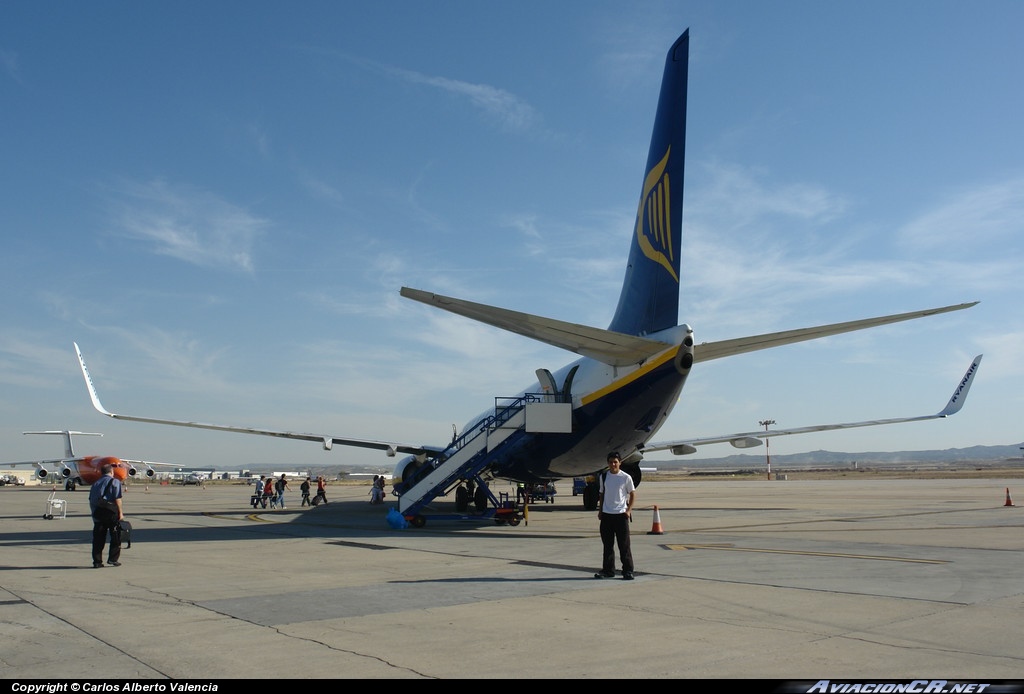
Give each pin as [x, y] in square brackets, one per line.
[221, 201]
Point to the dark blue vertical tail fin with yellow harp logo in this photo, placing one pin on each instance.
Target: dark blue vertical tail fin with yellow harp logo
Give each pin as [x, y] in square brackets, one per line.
[650, 301]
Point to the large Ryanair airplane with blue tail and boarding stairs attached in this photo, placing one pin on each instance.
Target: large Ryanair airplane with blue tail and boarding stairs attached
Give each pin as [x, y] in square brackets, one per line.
[629, 377]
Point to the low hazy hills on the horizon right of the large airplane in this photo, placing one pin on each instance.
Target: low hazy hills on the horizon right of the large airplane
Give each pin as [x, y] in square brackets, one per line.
[1011, 455]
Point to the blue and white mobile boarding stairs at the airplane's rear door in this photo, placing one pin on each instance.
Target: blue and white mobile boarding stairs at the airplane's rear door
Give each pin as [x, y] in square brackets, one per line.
[472, 453]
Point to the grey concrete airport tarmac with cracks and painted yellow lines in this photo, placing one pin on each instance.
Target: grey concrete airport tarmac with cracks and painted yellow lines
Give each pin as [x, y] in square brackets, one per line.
[799, 580]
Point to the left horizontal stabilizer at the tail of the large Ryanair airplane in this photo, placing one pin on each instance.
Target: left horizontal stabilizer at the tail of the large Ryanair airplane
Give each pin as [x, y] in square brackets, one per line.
[616, 350]
